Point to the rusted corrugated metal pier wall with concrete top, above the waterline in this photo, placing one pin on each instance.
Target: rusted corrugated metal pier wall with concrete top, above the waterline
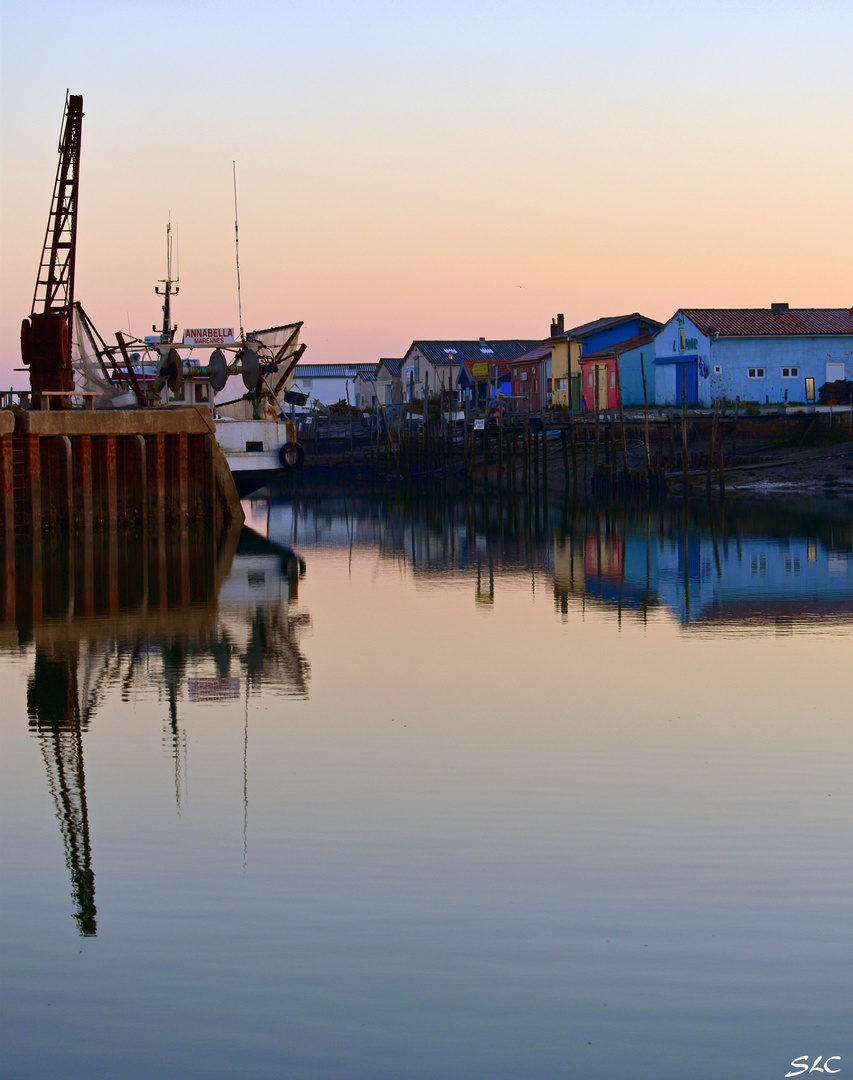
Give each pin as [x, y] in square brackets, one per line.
[72, 470]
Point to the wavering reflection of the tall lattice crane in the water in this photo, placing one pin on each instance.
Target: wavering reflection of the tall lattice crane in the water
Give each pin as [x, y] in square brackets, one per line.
[53, 710]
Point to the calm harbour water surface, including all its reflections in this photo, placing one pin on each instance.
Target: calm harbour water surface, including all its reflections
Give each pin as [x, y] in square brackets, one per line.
[383, 792]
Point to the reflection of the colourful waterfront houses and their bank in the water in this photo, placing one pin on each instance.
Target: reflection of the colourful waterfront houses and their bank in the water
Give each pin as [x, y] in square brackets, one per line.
[712, 568]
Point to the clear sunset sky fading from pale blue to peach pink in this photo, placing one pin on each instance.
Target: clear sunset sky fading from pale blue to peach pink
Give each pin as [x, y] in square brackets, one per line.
[430, 170]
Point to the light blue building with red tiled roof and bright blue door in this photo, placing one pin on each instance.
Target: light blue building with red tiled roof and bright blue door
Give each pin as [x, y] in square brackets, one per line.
[760, 355]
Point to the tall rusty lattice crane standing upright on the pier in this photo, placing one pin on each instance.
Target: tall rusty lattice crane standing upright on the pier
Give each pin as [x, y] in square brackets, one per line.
[46, 337]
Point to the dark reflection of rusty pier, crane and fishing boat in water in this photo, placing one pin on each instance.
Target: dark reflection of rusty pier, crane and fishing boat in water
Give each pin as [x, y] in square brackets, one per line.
[197, 618]
